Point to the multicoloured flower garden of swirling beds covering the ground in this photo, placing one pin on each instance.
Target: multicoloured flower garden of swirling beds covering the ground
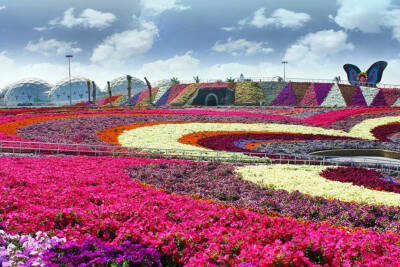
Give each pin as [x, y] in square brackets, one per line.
[85, 210]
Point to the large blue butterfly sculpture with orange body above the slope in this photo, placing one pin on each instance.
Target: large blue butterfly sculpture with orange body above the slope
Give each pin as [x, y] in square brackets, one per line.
[369, 78]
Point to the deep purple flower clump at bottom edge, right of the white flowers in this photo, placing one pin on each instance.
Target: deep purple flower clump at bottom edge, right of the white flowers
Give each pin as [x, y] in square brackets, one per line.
[95, 252]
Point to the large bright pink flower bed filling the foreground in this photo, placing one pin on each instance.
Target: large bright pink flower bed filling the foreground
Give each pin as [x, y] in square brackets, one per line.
[79, 197]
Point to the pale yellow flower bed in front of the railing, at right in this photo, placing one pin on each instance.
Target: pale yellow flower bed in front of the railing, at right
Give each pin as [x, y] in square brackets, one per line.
[306, 179]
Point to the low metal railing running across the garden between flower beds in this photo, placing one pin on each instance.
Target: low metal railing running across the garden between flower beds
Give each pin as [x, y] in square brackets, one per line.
[21, 147]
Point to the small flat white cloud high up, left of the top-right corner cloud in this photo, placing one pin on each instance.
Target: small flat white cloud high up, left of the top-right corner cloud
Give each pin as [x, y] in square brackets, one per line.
[280, 18]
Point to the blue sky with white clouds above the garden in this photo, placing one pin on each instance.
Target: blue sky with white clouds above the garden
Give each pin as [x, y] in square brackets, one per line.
[211, 39]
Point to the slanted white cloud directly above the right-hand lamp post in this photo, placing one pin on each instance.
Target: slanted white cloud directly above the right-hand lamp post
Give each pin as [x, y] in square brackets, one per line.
[318, 45]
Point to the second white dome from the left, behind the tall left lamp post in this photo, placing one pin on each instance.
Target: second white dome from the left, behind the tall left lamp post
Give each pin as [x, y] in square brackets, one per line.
[60, 93]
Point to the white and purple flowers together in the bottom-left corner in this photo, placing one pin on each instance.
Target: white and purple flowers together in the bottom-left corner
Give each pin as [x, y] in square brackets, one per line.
[41, 250]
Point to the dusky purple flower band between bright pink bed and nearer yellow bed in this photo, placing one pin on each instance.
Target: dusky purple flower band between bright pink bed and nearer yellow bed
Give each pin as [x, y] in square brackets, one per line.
[219, 182]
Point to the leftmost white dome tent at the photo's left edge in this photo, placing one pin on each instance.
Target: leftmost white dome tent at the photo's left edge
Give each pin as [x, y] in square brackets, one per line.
[27, 92]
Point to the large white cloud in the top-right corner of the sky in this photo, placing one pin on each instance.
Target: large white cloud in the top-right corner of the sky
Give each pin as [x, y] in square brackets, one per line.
[369, 16]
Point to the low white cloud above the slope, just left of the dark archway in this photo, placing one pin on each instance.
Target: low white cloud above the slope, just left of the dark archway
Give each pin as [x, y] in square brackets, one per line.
[180, 65]
